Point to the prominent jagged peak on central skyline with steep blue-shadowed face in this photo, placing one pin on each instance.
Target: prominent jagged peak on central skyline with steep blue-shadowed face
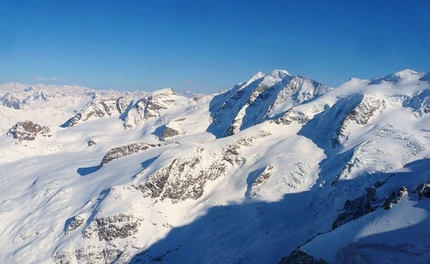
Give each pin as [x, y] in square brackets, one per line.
[261, 99]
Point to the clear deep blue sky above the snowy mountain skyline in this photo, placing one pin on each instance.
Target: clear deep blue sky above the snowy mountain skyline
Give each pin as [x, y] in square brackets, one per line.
[207, 46]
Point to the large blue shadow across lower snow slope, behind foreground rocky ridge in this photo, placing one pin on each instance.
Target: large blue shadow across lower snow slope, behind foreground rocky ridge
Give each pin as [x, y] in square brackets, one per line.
[264, 232]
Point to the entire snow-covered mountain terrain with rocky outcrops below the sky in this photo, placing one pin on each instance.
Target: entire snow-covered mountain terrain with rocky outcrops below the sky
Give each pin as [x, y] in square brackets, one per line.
[278, 169]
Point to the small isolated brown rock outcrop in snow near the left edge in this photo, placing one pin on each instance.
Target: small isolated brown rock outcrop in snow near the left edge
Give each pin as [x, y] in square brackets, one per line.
[27, 130]
